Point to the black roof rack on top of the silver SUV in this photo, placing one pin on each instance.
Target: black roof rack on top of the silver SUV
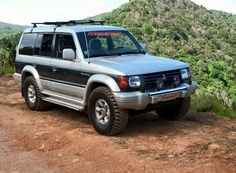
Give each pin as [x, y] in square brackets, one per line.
[71, 23]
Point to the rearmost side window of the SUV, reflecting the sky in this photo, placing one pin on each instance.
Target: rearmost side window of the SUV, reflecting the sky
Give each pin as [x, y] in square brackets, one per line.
[27, 44]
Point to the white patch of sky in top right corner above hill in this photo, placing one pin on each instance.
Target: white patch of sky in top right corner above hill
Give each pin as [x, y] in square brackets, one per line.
[223, 5]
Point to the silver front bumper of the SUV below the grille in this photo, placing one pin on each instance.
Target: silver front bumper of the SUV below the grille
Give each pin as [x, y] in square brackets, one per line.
[139, 101]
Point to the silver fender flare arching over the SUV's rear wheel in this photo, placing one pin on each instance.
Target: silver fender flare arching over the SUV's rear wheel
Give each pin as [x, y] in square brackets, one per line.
[33, 71]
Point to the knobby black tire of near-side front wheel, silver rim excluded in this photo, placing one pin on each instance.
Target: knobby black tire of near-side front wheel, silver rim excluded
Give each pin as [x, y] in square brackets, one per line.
[118, 118]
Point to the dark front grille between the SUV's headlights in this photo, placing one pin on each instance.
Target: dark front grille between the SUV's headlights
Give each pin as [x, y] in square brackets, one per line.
[150, 80]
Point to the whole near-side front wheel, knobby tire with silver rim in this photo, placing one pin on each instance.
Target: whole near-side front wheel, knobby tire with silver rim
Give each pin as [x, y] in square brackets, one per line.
[104, 112]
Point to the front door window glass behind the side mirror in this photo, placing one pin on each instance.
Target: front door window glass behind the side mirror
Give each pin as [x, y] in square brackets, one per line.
[63, 41]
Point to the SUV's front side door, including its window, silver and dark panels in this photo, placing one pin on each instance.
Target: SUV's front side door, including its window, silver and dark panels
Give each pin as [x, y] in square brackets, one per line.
[65, 73]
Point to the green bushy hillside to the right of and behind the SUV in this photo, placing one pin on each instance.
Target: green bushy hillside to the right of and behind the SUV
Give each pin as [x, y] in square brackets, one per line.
[182, 30]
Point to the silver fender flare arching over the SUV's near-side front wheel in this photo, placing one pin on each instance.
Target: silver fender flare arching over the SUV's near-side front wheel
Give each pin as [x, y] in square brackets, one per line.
[102, 79]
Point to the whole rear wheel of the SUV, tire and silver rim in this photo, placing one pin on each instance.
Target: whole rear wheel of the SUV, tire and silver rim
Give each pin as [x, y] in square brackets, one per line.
[32, 95]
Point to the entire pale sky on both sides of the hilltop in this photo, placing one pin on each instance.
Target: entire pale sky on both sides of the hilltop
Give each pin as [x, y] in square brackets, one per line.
[24, 12]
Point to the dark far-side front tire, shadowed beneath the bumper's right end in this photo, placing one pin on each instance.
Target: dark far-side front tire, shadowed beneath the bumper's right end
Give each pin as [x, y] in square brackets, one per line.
[175, 111]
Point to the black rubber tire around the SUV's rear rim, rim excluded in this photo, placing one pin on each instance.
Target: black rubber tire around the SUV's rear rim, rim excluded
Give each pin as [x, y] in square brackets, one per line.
[39, 104]
